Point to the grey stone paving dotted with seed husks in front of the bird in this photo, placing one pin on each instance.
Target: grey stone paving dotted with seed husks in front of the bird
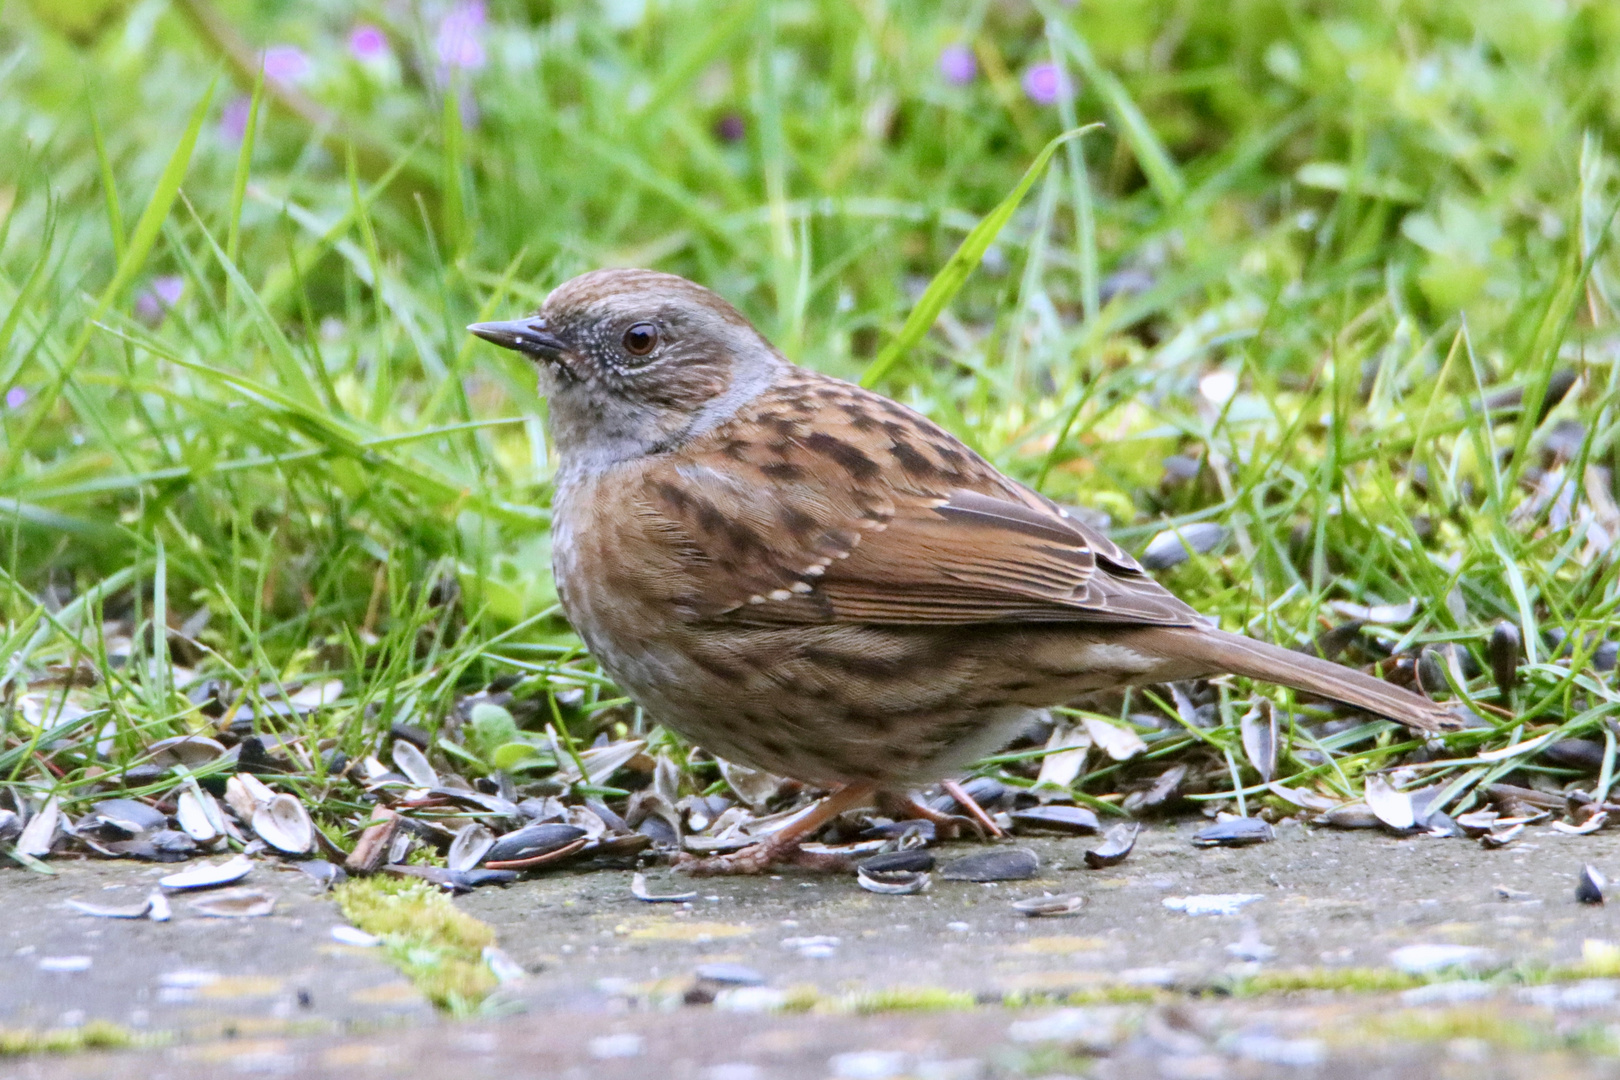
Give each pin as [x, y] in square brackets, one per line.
[612, 987]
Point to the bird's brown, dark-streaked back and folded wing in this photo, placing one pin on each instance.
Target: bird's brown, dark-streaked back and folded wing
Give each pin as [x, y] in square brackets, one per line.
[825, 503]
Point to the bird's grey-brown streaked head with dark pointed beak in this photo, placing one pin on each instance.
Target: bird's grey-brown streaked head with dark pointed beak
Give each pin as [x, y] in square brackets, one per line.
[637, 362]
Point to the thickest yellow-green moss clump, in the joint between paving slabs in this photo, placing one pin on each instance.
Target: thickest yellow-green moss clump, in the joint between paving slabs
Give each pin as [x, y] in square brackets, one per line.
[437, 945]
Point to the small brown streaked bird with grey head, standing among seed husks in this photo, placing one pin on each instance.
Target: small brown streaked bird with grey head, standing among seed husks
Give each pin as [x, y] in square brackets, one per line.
[811, 579]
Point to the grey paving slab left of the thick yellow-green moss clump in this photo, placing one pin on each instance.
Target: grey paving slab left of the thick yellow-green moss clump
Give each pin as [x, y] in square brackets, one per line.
[190, 977]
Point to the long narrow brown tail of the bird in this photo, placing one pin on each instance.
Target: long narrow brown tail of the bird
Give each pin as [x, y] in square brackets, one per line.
[1234, 653]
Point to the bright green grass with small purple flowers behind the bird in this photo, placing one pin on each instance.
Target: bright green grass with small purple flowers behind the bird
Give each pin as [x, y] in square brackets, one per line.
[1368, 221]
